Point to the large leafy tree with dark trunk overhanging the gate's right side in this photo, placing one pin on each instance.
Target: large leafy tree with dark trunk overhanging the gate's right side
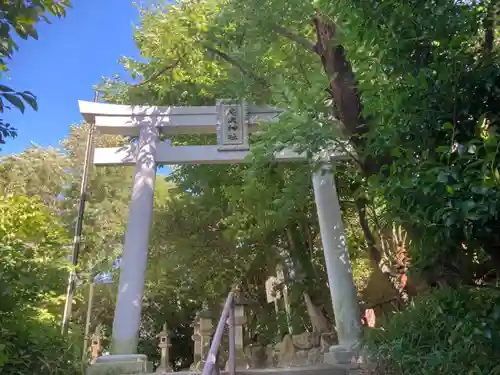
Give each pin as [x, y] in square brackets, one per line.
[414, 95]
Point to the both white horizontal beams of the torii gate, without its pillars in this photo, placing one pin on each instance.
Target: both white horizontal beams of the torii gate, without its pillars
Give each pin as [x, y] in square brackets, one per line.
[124, 120]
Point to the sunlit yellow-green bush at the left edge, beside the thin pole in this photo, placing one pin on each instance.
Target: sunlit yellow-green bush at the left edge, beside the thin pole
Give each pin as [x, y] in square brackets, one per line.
[33, 271]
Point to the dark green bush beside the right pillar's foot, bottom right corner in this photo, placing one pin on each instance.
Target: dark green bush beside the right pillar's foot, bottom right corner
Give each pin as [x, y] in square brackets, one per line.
[444, 332]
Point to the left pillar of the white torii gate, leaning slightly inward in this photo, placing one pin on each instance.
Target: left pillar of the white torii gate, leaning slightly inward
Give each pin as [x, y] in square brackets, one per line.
[127, 318]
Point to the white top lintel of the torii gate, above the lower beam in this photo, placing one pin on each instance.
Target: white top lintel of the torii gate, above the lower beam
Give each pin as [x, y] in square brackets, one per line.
[125, 120]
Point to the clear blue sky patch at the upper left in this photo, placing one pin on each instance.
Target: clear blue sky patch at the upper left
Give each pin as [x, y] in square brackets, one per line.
[71, 55]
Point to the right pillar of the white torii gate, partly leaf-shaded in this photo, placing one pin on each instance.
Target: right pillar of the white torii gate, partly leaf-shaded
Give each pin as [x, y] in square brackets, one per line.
[338, 264]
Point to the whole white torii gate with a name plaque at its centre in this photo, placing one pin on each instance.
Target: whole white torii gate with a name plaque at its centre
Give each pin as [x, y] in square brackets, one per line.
[232, 121]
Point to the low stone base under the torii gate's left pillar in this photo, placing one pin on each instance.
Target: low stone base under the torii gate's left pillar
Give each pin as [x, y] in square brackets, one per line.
[120, 364]
